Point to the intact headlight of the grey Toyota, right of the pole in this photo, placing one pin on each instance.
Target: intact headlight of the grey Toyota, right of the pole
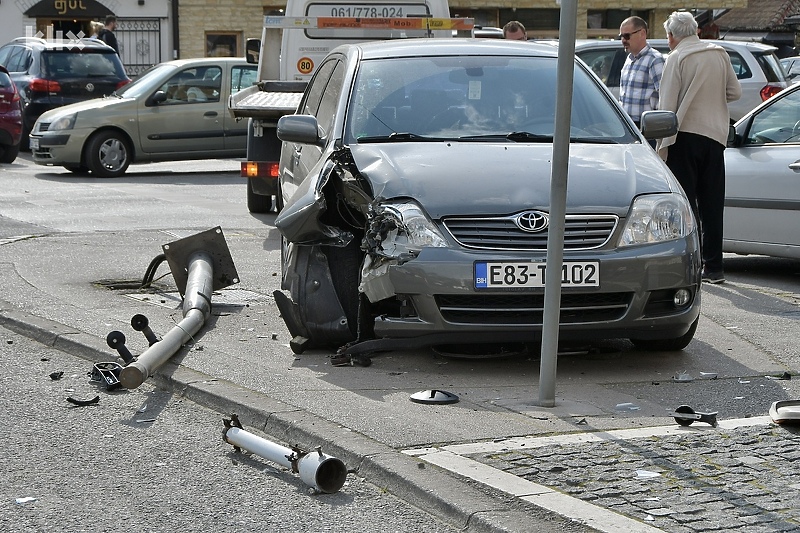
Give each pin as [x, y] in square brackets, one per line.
[658, 218]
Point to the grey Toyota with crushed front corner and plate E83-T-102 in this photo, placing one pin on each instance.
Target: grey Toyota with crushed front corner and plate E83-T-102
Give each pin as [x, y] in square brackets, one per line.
[414, 197]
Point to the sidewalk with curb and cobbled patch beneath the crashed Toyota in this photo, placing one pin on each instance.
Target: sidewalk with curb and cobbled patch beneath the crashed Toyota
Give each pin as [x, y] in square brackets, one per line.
[735, 477]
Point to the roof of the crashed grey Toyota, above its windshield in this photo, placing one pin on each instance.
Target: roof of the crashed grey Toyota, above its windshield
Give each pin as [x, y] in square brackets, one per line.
[455, 46]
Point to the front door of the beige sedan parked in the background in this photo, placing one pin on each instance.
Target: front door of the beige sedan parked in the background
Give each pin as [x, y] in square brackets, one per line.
[191, 120]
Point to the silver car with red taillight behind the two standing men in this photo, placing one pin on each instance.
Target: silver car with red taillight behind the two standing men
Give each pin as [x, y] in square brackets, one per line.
[756, 66]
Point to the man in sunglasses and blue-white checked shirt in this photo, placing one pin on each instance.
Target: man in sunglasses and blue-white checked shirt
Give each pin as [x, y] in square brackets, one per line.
[640, 79]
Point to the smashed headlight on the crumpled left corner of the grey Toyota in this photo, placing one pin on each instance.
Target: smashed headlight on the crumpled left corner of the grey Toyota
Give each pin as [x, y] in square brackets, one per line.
[401, 228]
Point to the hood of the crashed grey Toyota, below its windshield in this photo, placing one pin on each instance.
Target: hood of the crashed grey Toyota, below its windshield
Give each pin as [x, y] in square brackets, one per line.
[476, 178]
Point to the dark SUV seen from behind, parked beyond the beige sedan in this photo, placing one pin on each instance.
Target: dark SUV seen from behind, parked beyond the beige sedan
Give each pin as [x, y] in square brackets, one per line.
[49, 74]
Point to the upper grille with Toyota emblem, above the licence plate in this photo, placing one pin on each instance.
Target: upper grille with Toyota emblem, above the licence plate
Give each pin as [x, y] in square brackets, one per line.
[581, 232]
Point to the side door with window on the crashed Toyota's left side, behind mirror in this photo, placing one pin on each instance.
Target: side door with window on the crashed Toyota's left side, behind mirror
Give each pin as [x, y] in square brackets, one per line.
[321, 100]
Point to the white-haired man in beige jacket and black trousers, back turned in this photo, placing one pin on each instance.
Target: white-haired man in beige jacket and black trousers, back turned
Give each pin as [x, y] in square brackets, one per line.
[697, 84]
